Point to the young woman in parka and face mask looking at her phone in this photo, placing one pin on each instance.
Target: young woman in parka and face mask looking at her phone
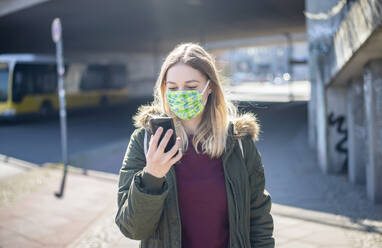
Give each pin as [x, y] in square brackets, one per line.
[212, 193]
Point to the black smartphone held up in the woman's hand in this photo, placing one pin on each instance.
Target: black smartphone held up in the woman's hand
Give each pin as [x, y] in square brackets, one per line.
[166, 123]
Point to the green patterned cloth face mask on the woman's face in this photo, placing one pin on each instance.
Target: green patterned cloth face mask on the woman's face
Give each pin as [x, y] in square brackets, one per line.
[186, 104]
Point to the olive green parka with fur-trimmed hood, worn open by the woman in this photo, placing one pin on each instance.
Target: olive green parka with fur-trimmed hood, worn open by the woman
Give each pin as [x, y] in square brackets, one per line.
[148, 206]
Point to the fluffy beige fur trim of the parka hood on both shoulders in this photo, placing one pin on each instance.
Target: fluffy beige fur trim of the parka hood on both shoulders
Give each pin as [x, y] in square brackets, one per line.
[243, 125]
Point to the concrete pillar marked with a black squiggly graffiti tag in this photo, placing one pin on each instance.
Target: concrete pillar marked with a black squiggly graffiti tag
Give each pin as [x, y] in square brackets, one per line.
[337, 129]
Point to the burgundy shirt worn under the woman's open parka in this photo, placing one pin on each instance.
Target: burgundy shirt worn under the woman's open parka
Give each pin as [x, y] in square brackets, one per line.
[202, 200]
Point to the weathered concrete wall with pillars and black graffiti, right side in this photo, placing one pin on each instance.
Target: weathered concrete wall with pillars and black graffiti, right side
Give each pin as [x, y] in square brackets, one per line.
[345, 40]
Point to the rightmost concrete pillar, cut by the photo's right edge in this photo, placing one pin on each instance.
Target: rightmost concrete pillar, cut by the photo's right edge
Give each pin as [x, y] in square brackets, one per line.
[373, 109]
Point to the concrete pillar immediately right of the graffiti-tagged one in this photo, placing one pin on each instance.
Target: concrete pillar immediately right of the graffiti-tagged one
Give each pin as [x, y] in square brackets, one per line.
[356, 131]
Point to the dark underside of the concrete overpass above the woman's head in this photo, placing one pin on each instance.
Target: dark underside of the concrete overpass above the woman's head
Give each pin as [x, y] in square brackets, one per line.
[119, 26]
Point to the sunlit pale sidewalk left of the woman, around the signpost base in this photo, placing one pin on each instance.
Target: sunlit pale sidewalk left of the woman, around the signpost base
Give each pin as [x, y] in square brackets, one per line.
[31, 216]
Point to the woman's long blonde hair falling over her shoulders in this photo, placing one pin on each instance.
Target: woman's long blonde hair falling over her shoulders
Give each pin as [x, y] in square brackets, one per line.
[213, 128]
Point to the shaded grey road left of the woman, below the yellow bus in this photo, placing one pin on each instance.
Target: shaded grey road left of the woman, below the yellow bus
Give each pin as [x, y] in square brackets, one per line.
[38, 141]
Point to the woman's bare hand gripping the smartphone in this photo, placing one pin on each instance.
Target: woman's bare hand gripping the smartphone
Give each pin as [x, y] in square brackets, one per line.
[158, 161]
